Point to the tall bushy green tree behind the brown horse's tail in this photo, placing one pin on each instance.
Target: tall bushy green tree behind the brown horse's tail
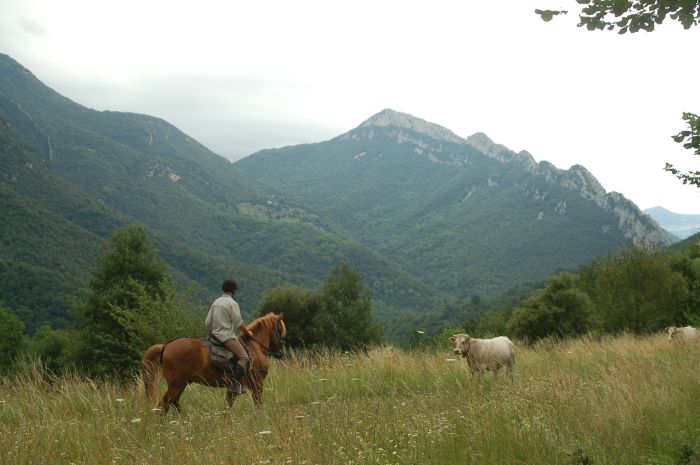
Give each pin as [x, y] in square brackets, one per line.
[124, 308]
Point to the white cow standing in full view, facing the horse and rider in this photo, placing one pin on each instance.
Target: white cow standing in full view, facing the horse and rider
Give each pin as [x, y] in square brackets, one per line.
[486, 354]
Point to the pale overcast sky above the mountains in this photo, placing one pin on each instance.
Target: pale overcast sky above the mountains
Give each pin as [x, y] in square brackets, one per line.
[245, 76]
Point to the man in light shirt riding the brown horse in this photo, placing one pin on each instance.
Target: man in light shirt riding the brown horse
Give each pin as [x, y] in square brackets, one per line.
[222, 322]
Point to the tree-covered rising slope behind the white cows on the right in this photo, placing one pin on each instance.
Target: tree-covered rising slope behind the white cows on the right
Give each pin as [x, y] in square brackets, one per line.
[635, 290]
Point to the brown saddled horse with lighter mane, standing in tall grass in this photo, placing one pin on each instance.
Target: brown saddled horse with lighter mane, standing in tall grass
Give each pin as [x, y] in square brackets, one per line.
[186, 360]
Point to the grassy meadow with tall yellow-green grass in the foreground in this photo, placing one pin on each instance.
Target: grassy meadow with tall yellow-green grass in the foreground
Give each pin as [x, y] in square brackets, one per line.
[620, 400]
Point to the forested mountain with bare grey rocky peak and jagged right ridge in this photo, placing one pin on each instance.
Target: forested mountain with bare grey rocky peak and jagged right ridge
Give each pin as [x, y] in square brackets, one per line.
[465, 216]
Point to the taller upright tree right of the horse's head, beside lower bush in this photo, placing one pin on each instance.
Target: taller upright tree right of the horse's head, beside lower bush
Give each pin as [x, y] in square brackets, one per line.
[348, 309]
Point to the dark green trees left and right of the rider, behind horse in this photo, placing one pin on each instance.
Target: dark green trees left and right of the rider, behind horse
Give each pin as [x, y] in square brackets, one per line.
[130, 303]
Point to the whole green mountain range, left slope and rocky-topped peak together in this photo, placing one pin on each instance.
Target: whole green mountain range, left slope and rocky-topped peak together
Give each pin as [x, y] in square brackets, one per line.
[426, 216]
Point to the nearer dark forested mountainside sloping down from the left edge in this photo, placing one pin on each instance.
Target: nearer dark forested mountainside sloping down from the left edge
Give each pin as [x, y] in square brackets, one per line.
[70, 175]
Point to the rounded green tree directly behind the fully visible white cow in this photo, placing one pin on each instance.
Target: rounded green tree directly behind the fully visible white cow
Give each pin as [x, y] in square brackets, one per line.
[561, 309]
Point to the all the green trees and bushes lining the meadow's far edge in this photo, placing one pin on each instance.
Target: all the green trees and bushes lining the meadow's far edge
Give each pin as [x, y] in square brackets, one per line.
[130, 304]
